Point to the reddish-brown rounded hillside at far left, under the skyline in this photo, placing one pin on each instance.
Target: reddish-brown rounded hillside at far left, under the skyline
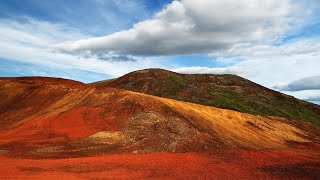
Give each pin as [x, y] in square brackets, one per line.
[23, 97]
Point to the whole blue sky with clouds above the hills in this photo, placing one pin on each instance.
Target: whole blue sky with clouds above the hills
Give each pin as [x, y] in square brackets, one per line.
[275, 43]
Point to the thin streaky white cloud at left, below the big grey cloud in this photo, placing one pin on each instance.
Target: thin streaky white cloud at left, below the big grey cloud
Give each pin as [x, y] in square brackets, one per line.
[29, 42]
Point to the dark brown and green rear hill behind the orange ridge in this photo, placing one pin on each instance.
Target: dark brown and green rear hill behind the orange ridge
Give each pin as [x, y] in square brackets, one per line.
[223, 91]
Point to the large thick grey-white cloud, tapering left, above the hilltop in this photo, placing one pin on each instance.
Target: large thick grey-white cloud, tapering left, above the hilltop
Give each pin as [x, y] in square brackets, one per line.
[192, 27]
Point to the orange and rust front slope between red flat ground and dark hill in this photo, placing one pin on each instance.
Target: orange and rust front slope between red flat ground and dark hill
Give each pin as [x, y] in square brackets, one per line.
[65, 116]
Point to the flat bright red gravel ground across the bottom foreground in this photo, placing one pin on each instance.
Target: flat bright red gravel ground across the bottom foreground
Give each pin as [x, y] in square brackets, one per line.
[238, 164]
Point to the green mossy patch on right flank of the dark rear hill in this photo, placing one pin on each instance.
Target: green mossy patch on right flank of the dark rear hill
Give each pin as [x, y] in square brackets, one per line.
[244, 103]
